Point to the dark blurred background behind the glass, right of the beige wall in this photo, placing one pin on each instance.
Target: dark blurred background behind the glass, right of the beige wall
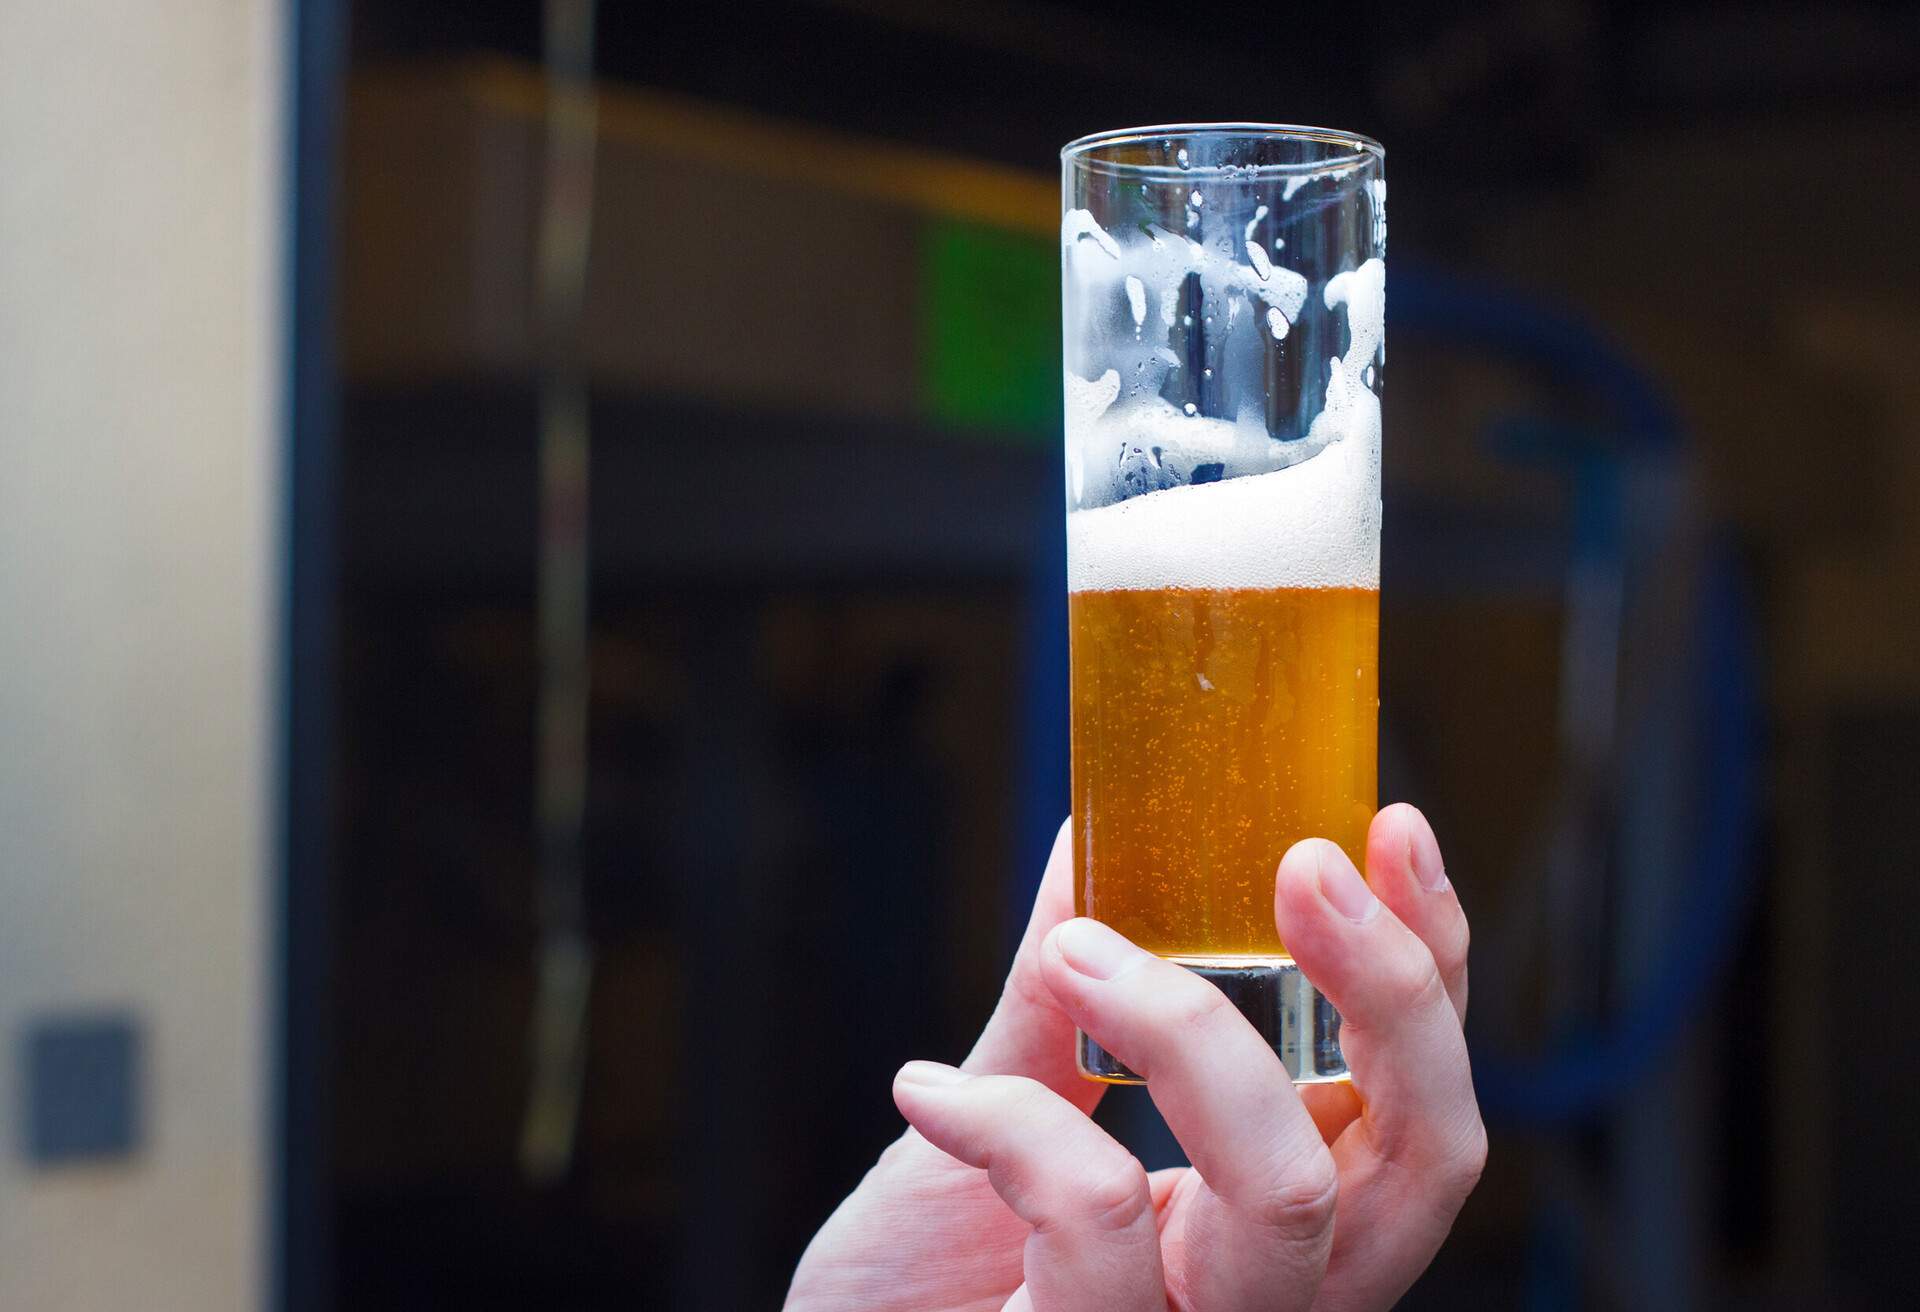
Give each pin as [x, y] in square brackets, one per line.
[1648, 646]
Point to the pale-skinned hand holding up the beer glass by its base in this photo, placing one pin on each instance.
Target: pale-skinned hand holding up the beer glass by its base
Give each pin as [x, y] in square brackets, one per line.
[1007, 1196]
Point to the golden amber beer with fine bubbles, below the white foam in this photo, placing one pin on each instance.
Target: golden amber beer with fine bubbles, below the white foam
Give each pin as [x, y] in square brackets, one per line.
[1214, 729]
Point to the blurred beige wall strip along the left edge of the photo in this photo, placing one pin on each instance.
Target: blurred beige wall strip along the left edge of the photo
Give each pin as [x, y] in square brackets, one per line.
[139, 460]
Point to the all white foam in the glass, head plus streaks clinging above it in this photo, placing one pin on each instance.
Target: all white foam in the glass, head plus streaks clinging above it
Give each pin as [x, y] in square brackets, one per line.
[1163, 497]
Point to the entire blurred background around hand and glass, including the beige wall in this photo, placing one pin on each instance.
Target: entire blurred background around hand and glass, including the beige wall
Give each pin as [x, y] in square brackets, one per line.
[533, 643]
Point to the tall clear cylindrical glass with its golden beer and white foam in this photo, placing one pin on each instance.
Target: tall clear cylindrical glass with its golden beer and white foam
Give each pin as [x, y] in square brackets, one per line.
[1224, 295]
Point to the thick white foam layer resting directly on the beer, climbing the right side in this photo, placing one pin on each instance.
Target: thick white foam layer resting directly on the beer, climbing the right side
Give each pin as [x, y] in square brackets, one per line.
[1310, 525]
